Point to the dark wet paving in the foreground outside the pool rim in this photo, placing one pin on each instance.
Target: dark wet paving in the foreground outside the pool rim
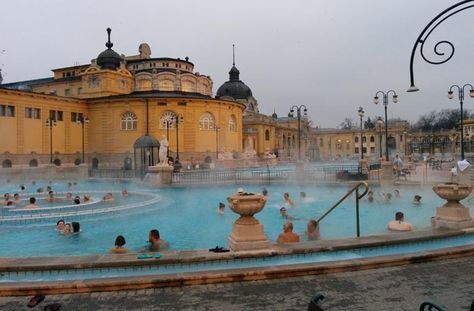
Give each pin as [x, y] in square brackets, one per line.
[449, 283]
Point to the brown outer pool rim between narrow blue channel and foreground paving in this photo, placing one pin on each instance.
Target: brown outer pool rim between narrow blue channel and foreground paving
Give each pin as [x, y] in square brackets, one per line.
[229, 275]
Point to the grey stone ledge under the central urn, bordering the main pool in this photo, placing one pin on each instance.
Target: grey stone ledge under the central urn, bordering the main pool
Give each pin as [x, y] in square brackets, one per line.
[190, 256]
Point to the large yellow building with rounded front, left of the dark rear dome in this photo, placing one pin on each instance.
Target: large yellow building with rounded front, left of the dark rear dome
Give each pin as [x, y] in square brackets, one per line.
[105, 107]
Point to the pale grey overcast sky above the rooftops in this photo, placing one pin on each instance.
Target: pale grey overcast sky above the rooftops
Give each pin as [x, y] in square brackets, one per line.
[331, 56]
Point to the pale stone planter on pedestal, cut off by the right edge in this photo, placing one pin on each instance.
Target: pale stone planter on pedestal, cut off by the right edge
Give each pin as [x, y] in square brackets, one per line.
[453, 214]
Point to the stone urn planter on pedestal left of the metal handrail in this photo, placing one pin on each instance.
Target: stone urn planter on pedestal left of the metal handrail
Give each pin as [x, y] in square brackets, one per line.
[247, 232]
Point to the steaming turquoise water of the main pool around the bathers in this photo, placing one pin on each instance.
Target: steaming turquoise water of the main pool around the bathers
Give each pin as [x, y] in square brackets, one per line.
[186, 216]
